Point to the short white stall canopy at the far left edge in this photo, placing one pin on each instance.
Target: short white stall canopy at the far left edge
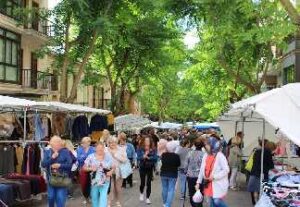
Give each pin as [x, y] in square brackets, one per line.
[11, 103]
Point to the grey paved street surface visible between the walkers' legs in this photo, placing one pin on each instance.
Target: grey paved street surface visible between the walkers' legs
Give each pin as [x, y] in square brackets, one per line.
[131, 198]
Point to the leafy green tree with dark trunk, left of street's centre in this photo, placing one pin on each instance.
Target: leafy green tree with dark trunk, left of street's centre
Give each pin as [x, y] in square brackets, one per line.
[132, 51]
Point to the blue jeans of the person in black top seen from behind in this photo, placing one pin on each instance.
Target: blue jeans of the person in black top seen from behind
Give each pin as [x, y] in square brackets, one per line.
[168, 190]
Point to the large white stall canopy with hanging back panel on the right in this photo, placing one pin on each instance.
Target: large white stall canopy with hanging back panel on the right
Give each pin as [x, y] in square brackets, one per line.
[280, 108]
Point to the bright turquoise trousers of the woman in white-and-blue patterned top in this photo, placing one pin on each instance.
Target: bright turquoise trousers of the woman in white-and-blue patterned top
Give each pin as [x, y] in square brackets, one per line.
[99, 195]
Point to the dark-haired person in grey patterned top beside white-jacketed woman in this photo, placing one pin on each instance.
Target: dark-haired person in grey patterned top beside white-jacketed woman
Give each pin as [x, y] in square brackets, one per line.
[192, 169]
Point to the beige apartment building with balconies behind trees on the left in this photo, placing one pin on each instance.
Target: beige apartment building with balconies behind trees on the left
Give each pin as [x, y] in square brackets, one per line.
[22, 74]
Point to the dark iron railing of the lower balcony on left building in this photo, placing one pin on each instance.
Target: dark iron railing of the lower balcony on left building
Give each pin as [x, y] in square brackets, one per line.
[38, 80]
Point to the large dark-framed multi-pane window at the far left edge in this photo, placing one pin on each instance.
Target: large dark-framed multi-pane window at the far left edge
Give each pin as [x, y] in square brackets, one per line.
[9, 56]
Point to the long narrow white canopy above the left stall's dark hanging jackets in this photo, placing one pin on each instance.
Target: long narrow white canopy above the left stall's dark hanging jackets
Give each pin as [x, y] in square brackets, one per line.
[66, 107]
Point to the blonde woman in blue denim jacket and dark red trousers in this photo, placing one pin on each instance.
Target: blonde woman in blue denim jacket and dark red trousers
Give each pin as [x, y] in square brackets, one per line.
[83, 152]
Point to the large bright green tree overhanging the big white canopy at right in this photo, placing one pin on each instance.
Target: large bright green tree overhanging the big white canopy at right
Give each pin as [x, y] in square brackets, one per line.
[235, 52]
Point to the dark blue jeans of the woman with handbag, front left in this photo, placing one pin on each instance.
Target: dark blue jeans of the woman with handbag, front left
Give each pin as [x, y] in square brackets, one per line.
[57, 196]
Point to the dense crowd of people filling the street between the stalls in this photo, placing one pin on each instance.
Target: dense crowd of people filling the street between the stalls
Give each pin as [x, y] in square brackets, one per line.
[202, 164]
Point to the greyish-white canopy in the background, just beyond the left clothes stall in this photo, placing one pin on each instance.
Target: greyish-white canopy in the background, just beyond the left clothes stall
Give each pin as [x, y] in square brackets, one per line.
[130, 122]
